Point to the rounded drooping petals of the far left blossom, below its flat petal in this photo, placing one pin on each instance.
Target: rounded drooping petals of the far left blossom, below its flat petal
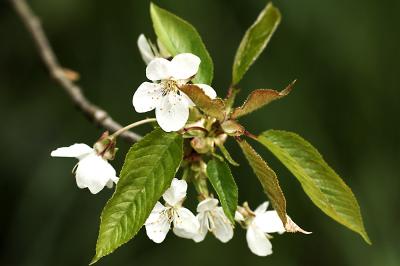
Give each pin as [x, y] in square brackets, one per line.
[93, 172]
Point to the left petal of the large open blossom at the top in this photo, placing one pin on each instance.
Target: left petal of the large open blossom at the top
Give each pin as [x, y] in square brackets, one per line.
[147, 97]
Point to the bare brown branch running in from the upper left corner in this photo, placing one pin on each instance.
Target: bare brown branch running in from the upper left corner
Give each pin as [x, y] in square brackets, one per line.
[93, 112]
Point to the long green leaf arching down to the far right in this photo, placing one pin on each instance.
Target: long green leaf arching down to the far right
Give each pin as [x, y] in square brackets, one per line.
[320, 182]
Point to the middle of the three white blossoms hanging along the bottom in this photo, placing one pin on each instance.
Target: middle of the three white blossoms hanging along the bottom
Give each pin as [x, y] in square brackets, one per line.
[212, 218]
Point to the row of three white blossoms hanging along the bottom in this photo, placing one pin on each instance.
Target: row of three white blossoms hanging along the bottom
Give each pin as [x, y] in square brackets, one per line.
[210, 218]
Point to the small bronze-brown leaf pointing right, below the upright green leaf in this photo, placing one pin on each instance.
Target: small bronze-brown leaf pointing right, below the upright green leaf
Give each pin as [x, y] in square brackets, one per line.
[258, 99]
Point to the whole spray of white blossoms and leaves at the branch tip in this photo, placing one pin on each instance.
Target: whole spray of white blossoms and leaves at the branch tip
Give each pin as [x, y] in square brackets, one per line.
[188, 139]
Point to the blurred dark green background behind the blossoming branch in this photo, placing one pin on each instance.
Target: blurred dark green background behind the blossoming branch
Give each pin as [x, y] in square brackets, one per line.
[345, 55]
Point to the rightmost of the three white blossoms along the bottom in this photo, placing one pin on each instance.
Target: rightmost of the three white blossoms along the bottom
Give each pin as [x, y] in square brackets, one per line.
[259, 226]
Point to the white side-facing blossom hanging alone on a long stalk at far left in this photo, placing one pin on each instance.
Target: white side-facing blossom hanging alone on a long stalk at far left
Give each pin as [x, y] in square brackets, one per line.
[92, 171]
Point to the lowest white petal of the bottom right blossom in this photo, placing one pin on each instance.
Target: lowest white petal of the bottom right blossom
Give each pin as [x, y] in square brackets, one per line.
[258, 242]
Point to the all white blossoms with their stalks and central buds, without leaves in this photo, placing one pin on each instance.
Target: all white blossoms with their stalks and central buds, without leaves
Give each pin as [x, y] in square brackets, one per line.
[172, 109]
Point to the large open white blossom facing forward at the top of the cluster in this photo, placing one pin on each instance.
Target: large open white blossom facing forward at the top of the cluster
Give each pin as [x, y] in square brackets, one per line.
[163, 94]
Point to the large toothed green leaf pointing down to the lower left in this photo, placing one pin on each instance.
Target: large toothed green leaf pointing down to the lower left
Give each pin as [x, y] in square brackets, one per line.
[149, 168]
